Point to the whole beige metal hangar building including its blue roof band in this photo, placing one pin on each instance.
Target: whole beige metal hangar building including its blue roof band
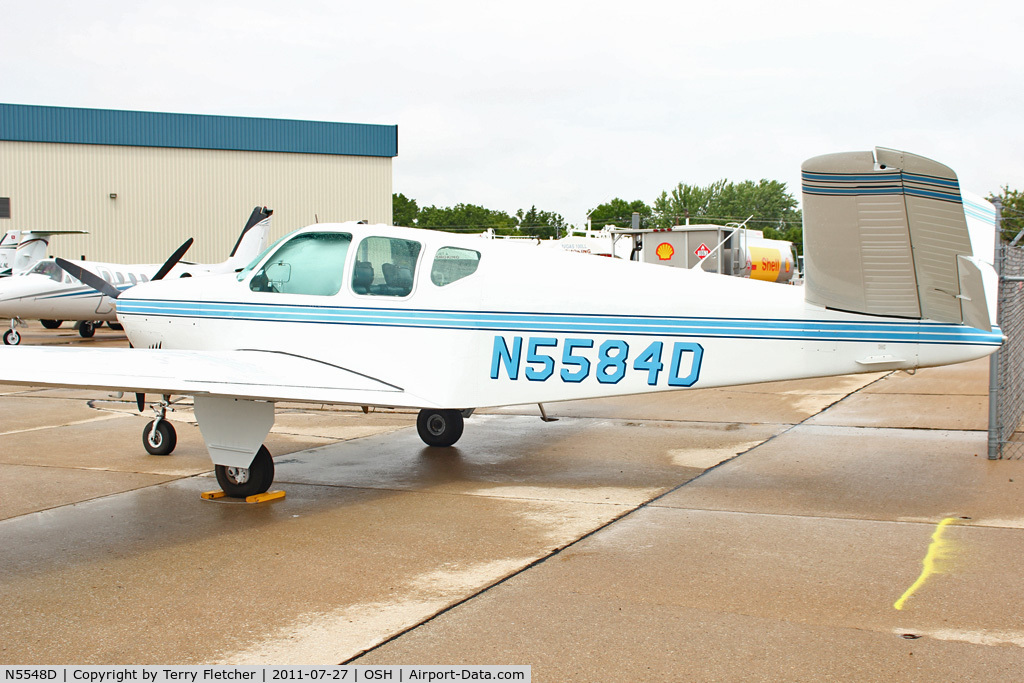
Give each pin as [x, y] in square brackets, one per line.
[143, 183]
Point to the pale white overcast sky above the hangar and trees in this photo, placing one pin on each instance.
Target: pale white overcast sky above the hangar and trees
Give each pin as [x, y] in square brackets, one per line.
[560, 105]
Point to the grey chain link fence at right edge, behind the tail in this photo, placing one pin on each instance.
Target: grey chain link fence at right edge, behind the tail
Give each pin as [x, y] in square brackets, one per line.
[1006, 410]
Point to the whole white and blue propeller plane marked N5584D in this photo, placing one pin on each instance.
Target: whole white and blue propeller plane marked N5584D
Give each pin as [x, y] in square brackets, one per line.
[392, 317]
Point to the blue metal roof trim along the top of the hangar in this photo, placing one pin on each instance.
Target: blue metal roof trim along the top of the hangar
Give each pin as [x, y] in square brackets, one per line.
[31, 123]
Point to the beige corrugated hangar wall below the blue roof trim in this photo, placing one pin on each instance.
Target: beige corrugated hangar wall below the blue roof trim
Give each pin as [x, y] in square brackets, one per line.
[165, 196]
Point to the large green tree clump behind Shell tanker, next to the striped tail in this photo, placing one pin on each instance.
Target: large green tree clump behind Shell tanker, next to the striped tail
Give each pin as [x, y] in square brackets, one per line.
[767, 204]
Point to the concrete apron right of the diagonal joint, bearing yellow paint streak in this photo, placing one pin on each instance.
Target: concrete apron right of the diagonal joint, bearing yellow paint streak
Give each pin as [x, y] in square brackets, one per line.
[786, 564]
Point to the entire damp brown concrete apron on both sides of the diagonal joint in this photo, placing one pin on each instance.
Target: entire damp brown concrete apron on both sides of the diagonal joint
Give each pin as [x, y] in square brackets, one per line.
[782, 564]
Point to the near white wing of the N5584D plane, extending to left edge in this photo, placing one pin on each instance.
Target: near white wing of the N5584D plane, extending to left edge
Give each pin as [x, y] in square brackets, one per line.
[240, 374]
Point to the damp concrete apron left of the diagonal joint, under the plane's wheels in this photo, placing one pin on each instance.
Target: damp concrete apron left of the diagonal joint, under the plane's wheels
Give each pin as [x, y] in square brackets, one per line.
[118, 561]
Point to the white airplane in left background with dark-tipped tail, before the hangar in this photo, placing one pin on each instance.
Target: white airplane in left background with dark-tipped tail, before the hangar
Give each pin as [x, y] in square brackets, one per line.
[48, 293]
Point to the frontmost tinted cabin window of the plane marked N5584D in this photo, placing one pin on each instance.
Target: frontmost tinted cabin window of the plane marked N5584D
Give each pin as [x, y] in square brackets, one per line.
[309, 264]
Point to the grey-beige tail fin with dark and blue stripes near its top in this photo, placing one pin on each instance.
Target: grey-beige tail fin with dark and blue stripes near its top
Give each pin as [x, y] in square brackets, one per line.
[886, 234]
